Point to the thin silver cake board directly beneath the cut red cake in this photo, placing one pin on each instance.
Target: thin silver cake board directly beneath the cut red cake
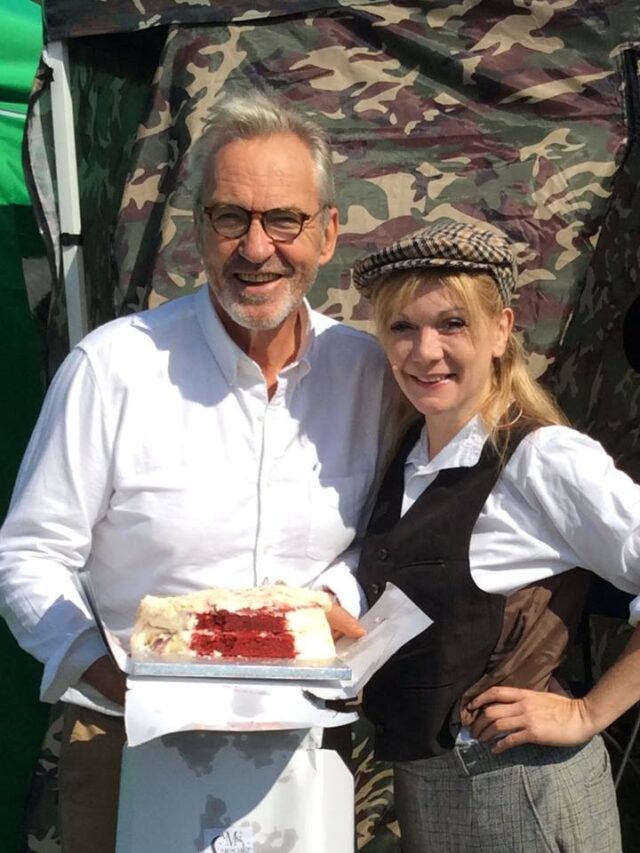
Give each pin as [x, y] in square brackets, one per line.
[331, 670]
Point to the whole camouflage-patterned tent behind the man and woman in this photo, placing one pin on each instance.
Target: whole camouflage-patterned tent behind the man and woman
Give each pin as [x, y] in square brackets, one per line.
[524, 113]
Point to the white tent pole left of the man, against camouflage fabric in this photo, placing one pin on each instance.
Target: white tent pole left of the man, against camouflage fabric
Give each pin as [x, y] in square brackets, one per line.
[57, 58]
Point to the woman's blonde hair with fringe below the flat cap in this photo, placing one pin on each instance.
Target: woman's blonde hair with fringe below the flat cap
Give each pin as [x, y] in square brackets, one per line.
[516, 399]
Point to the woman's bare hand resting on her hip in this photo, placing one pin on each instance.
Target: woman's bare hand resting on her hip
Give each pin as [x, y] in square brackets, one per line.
[517, 716]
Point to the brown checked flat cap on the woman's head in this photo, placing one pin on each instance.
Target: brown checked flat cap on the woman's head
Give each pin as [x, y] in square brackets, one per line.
[445, 245]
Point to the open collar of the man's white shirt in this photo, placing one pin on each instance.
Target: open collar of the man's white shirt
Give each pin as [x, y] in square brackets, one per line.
[228, 354]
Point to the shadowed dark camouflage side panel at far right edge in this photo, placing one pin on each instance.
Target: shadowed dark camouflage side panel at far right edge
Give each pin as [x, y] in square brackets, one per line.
[591, 377]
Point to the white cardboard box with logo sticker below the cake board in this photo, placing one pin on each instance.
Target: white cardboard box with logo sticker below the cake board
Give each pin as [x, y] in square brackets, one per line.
[235, 792]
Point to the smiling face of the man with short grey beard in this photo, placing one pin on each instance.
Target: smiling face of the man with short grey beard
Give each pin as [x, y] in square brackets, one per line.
[255, 281]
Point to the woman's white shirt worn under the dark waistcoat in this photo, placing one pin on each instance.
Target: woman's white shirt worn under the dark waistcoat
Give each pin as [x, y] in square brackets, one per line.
[560, 502]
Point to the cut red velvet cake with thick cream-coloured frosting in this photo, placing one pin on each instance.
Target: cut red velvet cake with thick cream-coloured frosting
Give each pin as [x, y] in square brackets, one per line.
[267, 622]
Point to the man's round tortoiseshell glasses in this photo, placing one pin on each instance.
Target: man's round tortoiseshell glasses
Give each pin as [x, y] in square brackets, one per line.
[282, 225]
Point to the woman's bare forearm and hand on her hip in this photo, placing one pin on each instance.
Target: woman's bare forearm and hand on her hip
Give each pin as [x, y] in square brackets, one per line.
[517, 716]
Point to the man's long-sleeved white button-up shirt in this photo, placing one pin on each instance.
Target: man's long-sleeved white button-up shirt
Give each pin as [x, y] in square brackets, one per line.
[160, 464]
